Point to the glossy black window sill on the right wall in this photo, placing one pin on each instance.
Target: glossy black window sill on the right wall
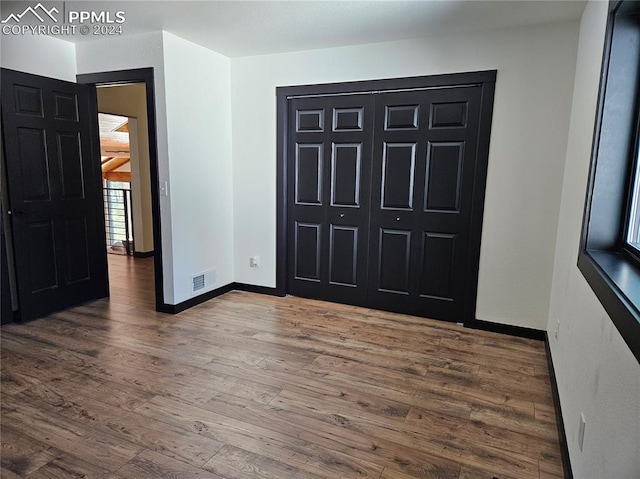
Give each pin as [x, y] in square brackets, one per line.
[616, 283]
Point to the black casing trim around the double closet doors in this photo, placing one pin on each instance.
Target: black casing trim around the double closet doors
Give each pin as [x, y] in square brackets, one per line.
[485, 79]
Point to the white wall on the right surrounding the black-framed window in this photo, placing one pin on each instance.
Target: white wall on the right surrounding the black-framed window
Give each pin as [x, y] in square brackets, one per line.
[596, 372]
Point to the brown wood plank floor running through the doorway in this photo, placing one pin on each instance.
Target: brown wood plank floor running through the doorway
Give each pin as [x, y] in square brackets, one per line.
[251, 386]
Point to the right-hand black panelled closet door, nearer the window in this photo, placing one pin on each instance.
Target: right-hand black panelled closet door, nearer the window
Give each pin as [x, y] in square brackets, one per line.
[424, 163]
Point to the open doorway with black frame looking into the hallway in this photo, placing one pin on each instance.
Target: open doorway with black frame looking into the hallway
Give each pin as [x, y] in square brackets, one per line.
[130, 177]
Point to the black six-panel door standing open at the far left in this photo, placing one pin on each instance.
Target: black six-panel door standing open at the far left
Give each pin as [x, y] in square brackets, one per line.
[52, 167]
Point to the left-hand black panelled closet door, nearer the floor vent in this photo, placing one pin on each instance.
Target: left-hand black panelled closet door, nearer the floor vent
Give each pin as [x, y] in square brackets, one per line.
[329, 179]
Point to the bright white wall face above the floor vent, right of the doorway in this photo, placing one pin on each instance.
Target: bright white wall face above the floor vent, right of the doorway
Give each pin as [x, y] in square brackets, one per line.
[197, 85]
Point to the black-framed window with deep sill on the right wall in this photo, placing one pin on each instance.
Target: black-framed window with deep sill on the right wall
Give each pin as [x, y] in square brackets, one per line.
[609, 255]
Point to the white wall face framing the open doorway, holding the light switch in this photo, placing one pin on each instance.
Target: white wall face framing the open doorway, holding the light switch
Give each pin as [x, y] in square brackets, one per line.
[130, 52]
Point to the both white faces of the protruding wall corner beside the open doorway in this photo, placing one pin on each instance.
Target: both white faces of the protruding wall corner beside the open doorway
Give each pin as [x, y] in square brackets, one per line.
[193, 116]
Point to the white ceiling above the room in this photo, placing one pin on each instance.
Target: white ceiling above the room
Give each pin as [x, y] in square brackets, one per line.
[241, 28]
